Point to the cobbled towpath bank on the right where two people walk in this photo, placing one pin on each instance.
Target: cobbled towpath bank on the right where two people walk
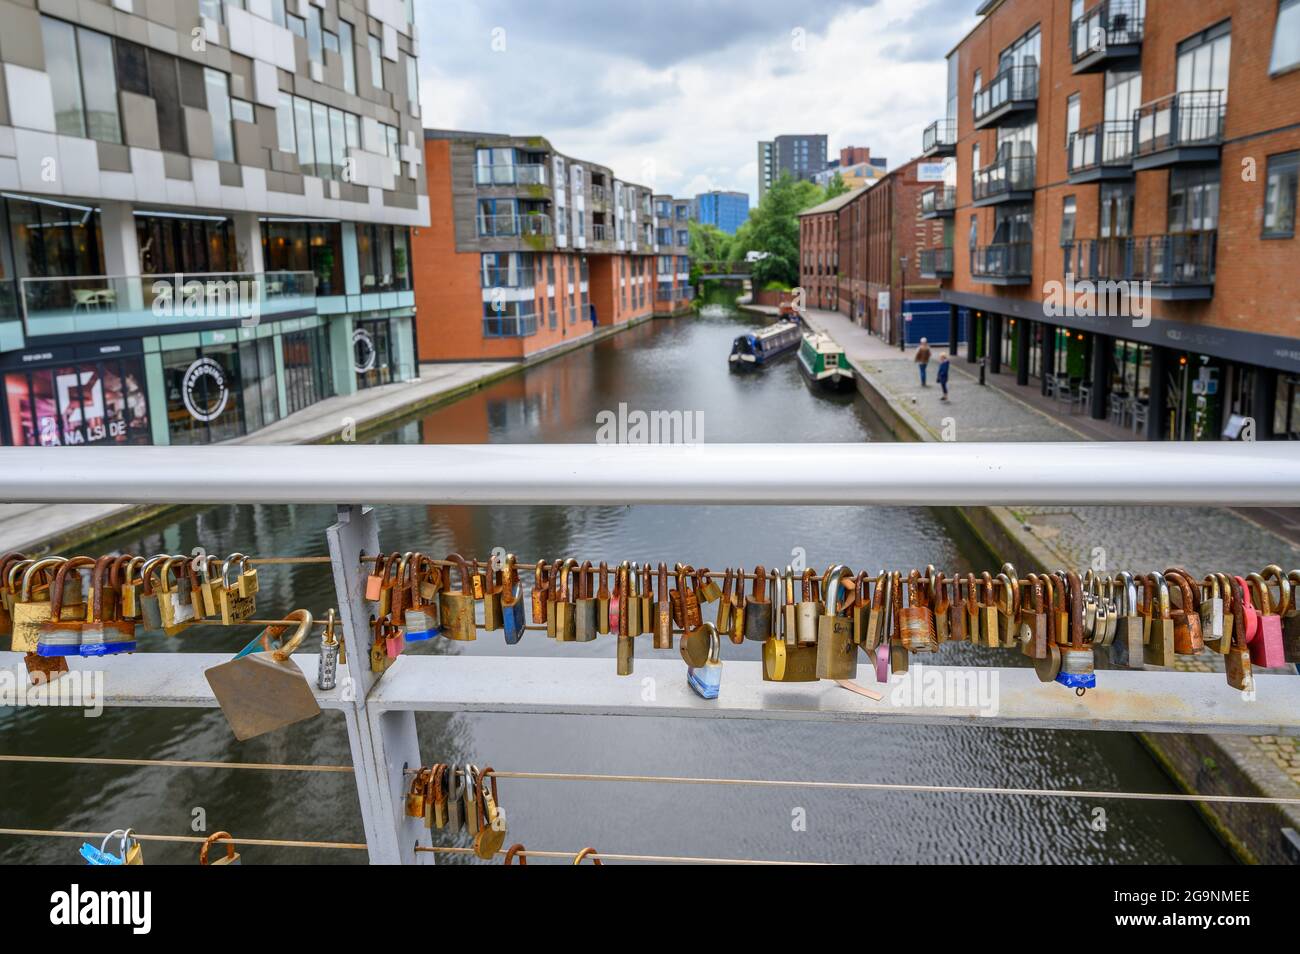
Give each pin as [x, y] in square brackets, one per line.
[1201, 539]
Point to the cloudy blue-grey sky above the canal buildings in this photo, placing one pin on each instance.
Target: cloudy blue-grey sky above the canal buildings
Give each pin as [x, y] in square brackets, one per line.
[675, 94]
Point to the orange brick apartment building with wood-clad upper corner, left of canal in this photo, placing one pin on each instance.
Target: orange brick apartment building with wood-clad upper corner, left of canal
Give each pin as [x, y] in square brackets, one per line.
[531, 249]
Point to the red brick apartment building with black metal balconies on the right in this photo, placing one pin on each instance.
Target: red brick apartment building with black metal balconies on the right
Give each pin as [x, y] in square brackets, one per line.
[1129, 145]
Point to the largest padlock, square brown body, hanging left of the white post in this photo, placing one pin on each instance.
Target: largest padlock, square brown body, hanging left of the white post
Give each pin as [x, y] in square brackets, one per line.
[262, 690]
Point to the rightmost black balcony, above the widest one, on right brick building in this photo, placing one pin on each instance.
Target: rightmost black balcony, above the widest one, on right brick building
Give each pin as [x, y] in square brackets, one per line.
[1178, 129]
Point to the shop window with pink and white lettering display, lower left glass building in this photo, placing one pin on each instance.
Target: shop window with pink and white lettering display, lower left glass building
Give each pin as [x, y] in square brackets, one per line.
[89, 404]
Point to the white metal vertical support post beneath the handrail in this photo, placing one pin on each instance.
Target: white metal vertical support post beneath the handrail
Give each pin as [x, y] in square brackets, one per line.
[383, 744]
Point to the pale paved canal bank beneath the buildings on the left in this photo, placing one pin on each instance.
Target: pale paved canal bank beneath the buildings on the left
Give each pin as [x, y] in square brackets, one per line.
[359, 417]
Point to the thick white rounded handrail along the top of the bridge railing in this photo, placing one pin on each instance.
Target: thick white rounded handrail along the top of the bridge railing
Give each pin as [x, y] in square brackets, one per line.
[829, 475]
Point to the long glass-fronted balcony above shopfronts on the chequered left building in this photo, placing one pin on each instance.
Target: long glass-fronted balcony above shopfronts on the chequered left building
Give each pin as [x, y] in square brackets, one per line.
[99, 303]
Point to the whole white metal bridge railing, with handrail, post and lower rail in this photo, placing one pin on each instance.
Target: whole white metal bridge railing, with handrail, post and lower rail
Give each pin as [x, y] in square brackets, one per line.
[380, 709]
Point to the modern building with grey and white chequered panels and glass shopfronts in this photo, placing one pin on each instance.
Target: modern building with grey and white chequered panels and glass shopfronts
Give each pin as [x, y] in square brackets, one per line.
[205, 214]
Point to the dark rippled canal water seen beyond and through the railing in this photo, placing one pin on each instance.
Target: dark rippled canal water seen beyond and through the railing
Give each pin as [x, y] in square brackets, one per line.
[662, 366]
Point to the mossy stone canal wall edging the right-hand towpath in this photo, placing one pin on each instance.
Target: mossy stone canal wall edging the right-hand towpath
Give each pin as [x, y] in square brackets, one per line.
[1197, 764]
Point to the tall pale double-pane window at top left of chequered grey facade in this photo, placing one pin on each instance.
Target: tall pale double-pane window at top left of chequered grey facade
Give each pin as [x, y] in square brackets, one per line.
[84, 81]
